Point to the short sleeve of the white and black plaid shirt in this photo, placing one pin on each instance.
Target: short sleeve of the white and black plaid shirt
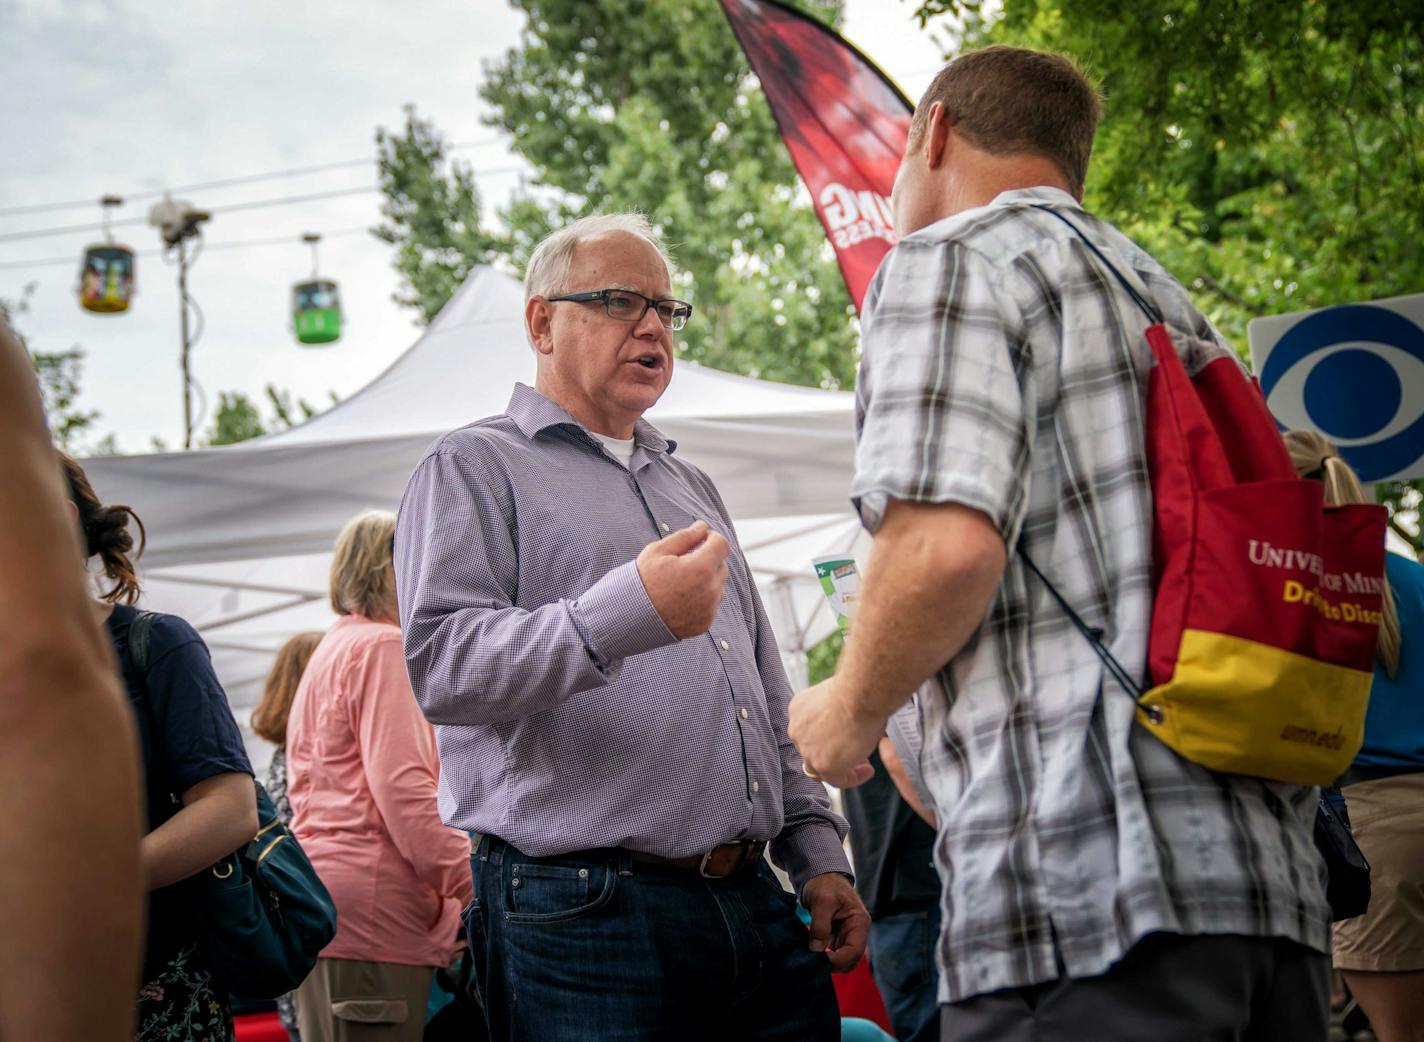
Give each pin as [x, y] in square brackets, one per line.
[945, 401]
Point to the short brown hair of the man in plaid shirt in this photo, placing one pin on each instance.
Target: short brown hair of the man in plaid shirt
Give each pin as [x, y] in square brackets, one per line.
[1012, 100]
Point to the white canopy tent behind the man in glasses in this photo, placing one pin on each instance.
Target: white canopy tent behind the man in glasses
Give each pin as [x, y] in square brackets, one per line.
[240, 537]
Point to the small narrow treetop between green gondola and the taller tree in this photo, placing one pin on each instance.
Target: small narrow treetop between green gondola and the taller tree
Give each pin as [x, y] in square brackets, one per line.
[432, 216]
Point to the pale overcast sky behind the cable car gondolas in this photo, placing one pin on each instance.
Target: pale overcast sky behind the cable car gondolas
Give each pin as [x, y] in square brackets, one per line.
[129, 98]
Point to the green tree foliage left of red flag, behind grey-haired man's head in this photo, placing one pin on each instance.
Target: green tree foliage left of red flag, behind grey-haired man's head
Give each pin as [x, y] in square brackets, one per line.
[653, 107]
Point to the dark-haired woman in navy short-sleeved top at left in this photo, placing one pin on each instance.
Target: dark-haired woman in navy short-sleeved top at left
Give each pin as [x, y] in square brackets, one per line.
[200, 795]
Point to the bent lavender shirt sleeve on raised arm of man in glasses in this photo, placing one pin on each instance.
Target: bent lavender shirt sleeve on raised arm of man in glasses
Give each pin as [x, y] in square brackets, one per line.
[475, 658]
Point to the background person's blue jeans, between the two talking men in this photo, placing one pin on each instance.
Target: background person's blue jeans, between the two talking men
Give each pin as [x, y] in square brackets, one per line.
[902, 960]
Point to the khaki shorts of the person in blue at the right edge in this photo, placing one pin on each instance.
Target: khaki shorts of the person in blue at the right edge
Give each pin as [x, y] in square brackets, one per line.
[1388, 818]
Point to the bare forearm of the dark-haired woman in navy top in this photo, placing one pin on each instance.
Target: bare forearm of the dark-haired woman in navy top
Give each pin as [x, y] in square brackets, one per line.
[219, 816]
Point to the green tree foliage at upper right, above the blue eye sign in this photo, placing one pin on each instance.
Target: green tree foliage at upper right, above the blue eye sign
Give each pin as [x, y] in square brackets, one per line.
[1271, 153]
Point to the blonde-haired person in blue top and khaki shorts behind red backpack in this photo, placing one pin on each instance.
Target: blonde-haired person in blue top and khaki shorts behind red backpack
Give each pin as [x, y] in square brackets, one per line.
[1382, 953]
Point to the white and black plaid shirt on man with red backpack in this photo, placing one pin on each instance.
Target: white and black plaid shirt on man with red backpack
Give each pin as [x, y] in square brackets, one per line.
[1005, 369]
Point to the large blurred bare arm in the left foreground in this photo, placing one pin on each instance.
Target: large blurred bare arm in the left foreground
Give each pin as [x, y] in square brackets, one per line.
[70, 896]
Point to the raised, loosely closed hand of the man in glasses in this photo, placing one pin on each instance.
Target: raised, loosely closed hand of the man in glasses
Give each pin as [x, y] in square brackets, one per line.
[686, 576]
